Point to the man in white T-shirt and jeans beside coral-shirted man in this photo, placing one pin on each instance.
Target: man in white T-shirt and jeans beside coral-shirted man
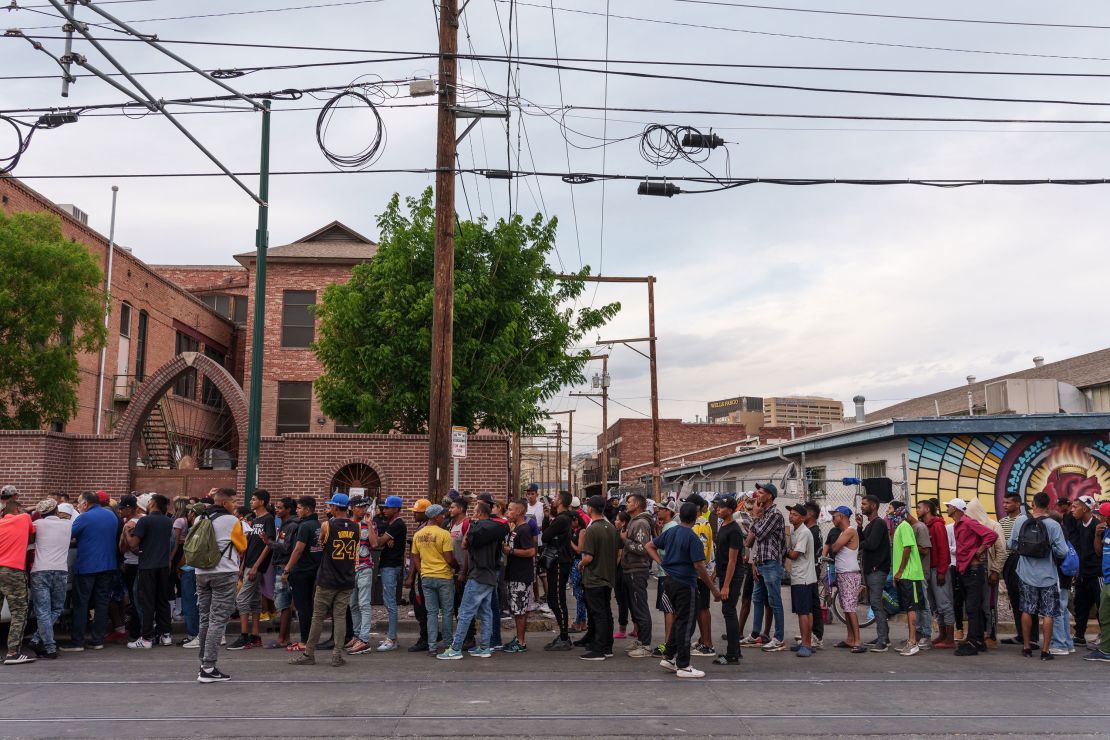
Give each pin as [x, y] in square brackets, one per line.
[49, 575]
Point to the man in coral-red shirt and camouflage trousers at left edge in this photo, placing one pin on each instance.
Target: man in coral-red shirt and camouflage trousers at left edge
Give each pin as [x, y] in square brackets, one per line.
[17, 532]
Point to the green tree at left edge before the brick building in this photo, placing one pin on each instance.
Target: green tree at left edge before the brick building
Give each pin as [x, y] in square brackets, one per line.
[52, 309]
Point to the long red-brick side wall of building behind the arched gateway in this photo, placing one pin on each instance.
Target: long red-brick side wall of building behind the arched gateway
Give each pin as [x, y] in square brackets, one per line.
[133, 282]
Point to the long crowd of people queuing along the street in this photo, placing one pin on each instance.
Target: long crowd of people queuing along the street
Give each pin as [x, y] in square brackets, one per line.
[136, 563]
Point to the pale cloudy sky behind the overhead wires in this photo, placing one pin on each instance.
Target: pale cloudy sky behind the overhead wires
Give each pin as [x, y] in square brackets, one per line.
[764, 290]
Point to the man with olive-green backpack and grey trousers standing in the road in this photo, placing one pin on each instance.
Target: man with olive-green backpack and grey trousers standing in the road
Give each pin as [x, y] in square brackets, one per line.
[214, 549]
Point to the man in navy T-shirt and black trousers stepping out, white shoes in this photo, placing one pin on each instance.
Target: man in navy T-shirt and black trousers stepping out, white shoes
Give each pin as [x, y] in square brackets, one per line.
[684, 561]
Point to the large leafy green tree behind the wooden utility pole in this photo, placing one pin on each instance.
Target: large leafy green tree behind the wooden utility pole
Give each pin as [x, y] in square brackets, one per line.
[514, 333]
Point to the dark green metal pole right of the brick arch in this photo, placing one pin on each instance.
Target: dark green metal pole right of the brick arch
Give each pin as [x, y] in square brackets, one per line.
[258, 330]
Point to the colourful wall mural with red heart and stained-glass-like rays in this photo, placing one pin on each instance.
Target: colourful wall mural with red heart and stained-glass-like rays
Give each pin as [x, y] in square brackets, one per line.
[990, 467]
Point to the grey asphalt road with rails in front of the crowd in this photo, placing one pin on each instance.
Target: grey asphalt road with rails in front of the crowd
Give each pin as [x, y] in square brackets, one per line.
[127, 694]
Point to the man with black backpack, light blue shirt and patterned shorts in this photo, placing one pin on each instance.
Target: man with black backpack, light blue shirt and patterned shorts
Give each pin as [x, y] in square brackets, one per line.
[1038, 540]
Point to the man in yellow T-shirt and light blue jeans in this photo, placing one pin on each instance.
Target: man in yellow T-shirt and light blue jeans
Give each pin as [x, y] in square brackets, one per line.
[435, 559]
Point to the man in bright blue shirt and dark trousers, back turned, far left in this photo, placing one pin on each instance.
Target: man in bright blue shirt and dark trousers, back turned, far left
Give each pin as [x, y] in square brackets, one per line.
[95, 532]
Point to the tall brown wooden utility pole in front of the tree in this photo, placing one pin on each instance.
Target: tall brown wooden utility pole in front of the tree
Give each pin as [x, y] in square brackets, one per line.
[440, 421]
